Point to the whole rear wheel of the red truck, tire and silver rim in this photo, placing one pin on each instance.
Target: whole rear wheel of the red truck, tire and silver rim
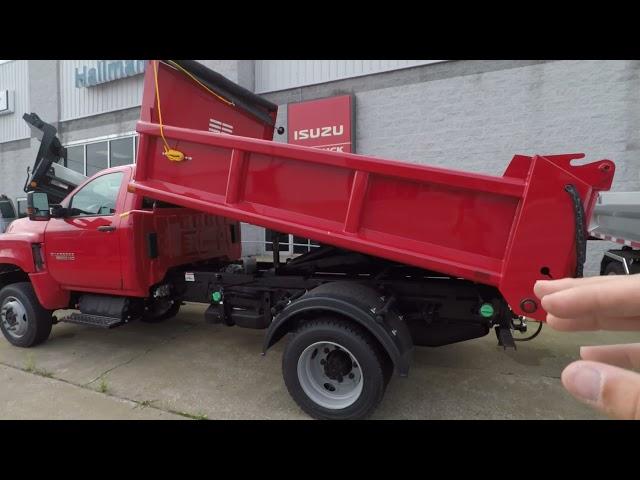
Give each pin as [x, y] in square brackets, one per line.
[334, 370]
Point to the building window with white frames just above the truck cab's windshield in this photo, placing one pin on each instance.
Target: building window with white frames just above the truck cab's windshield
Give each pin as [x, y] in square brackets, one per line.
[92, 156]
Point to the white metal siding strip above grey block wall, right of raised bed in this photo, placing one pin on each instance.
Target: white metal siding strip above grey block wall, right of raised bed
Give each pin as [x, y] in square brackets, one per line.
[273, 75]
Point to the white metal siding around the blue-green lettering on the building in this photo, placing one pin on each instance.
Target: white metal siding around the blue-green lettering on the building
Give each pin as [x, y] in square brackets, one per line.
[108, 97]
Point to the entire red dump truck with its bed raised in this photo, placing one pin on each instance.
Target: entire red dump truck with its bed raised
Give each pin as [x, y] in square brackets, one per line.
[410, 254]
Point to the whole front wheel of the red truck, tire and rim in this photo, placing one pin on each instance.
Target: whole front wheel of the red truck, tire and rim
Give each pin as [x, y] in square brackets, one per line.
[23, 321]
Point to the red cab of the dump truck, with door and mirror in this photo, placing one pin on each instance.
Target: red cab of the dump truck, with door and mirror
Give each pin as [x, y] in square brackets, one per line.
[103, 244]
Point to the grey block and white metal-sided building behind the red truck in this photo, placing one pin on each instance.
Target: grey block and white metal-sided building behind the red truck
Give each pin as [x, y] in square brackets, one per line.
[469, 115]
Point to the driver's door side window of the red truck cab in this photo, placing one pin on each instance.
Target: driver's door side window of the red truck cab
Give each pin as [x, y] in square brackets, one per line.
[97, 197]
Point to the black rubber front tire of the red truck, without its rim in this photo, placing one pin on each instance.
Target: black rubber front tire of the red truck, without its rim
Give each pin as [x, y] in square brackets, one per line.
[39, 320]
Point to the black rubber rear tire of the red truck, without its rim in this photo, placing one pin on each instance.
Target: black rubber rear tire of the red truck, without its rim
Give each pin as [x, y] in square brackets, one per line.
[373, 363]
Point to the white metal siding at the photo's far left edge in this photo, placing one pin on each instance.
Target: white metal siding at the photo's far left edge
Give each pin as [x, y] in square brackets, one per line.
[14, 76]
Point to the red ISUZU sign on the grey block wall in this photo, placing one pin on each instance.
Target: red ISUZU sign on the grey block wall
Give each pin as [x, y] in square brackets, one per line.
[325, 124]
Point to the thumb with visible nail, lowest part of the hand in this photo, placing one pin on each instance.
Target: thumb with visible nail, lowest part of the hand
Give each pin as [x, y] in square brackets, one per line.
[612, 390]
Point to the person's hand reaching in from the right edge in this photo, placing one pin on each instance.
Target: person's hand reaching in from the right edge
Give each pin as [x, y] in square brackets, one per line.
[602, 378]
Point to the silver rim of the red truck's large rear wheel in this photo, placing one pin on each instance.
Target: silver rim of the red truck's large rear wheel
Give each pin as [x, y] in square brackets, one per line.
[326, 378]
